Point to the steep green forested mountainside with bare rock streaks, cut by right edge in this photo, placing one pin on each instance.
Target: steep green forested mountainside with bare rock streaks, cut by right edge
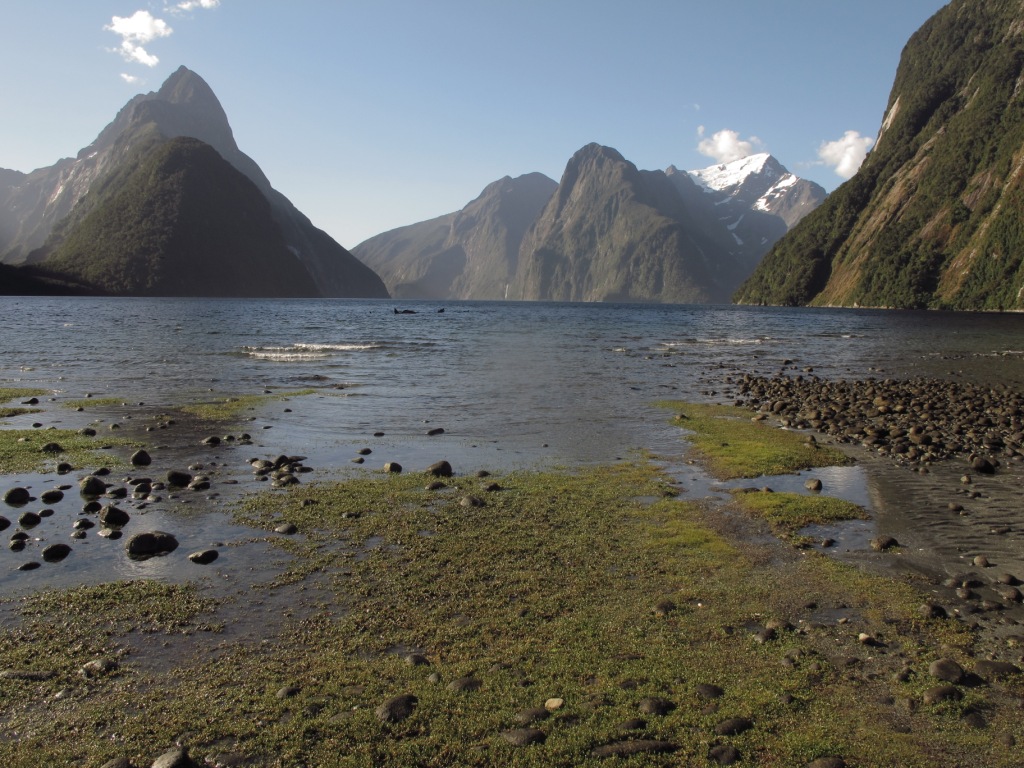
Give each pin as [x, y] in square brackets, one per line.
[935, 216]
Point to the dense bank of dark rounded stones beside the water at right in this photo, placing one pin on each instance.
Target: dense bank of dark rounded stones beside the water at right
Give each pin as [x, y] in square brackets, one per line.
[915, 421]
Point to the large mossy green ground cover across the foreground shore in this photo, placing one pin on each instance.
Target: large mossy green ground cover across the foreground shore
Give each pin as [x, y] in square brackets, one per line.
[577, 618]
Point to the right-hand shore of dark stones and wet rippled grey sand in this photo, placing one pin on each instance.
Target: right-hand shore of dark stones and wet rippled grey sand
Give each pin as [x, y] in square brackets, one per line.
[947, 466]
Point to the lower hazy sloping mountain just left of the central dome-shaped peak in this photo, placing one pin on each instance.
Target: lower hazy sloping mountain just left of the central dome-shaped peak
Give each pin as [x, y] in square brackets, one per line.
[471, 254]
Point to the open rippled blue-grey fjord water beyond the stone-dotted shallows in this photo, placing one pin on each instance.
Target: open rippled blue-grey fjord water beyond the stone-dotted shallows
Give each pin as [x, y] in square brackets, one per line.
[513, 385]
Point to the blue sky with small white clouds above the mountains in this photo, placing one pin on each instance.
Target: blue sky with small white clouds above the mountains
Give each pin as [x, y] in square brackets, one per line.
[374, 114]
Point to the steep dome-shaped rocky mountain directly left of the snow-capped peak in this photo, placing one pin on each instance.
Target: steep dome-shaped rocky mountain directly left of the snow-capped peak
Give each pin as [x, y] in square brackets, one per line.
[613, 233]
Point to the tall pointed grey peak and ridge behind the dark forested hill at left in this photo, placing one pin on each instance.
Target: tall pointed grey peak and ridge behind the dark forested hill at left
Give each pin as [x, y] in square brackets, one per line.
[40, 210]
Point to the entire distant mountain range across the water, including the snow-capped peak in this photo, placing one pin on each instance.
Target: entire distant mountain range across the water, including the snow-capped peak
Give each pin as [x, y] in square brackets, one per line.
[608, 232]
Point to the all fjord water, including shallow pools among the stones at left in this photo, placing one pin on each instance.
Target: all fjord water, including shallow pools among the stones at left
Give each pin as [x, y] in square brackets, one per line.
[514, 386]
